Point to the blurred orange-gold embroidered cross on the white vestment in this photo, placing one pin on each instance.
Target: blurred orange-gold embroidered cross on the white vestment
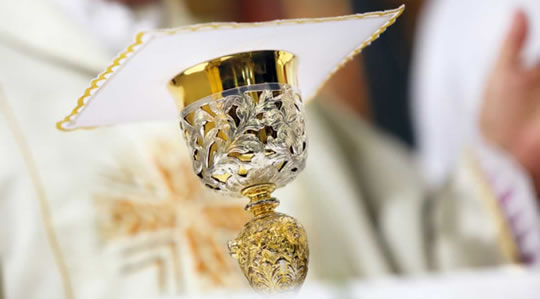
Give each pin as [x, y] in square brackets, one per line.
[159, 206]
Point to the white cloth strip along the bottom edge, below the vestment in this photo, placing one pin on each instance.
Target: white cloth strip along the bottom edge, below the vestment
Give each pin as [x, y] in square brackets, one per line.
[501, 284]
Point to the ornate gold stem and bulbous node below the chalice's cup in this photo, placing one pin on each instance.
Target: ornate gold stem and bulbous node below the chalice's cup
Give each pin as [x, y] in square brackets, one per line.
[272, 248]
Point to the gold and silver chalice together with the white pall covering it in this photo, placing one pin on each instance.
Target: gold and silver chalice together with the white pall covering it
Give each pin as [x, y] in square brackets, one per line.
[237, 90]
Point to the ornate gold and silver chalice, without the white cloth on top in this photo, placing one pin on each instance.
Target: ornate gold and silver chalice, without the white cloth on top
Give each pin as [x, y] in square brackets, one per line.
[243, 121]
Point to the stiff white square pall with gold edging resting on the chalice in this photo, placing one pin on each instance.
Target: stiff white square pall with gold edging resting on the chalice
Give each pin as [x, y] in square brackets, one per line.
[134, 87]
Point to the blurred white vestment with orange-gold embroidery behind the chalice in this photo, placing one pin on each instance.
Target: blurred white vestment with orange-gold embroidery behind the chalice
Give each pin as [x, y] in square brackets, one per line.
[360, 197]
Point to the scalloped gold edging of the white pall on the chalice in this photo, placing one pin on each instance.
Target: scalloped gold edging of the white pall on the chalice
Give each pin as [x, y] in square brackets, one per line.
[212, 26]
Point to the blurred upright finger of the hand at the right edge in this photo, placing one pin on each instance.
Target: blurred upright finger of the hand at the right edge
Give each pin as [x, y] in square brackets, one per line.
[515, 40]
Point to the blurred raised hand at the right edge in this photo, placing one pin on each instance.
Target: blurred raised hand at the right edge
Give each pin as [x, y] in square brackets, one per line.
[510, 116]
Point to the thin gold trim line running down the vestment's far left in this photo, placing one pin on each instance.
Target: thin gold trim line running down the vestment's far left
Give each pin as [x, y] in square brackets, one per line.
[32, 169]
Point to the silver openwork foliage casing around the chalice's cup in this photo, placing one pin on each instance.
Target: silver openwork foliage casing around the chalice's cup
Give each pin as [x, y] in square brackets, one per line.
[248, 136]
